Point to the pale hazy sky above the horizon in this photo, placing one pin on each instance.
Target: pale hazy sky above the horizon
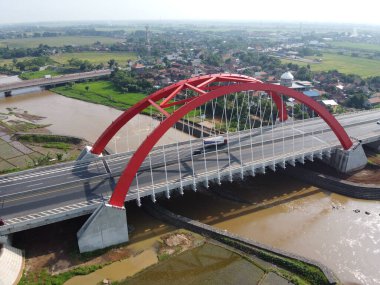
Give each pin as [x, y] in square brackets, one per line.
[339, 11]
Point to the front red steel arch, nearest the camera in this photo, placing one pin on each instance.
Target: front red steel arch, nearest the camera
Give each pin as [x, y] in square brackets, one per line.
[118, 197]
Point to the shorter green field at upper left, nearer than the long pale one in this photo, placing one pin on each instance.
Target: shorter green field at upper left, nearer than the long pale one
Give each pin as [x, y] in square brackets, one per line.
[96, 57]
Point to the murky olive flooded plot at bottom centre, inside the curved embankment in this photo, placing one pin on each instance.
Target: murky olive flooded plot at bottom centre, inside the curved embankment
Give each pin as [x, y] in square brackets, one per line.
[211, 263]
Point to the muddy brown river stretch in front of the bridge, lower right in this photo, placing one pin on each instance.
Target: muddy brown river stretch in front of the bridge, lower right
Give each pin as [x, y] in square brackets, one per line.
[297, 218]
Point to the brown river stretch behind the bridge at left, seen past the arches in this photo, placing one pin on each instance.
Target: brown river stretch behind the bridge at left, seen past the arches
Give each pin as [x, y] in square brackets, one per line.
[87, 120]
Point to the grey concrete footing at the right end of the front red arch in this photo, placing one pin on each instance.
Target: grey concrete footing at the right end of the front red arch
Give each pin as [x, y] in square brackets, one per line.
[346, 161]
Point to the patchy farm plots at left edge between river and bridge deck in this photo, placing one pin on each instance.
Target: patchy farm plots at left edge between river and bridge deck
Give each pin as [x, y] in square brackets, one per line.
[25, 143]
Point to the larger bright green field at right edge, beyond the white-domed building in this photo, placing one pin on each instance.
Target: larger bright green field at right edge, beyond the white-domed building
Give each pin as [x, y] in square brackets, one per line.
[345, 64]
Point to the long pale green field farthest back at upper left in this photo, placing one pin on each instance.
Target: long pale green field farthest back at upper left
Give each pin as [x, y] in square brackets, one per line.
[56, 41]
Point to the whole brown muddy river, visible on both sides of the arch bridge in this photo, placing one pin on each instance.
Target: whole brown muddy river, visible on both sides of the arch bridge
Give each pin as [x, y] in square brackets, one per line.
[340, 232]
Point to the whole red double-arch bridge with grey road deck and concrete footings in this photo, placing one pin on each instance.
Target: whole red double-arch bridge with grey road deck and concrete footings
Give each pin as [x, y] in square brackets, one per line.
[243, 127]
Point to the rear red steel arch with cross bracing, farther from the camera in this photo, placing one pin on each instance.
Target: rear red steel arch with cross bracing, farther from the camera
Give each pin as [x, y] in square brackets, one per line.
[200, 85]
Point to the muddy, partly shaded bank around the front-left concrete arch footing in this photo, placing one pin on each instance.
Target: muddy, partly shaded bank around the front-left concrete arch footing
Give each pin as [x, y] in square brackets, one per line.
[51, 251]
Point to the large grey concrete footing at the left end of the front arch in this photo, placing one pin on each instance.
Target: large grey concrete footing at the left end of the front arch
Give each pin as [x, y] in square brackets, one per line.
[106, 226]
